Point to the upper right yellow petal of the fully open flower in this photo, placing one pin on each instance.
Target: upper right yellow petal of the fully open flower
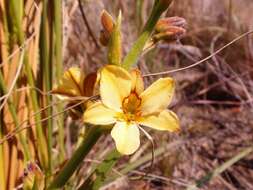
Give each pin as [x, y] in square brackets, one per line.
[157, 96]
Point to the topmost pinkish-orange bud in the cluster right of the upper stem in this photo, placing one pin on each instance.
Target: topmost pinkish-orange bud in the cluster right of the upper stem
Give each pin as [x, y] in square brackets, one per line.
[165, 23]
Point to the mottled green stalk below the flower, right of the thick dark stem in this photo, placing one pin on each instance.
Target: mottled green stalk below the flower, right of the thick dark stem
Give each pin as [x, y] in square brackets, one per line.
[101, 171]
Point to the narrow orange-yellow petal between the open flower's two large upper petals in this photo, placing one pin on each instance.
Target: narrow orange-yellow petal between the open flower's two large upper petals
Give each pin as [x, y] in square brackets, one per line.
[137, 81]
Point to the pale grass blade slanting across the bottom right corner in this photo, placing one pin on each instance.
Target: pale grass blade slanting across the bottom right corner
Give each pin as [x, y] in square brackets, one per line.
[204, 180]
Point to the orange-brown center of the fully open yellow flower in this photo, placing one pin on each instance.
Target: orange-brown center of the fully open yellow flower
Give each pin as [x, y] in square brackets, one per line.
[131, 106]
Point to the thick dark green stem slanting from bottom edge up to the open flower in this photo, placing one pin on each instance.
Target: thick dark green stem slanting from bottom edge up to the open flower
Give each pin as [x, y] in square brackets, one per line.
[67, 171]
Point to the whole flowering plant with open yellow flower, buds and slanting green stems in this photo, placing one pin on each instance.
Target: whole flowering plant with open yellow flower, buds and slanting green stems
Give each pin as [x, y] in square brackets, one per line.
[113, 100]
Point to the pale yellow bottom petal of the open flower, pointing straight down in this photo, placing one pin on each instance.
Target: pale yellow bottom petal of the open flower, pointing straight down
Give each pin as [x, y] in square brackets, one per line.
[126, 137]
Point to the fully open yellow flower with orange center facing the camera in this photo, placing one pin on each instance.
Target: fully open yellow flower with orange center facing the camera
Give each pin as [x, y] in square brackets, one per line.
[126, 104]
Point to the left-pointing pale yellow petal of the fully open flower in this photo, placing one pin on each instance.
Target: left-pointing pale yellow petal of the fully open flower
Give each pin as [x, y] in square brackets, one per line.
[98, 114]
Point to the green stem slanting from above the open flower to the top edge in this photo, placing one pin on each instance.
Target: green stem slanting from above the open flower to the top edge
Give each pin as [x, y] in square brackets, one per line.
[136, 50]
